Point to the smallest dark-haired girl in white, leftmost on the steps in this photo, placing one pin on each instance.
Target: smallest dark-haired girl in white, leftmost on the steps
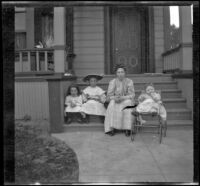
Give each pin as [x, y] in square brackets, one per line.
[73, 103]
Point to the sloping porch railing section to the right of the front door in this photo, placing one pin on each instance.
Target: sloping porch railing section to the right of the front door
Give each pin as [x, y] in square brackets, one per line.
[172, 60]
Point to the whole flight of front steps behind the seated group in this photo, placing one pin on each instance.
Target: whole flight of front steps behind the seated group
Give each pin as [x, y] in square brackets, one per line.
[177, 112]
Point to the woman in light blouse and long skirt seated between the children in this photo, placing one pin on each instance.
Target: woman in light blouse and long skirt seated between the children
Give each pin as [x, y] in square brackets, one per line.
[120, 94]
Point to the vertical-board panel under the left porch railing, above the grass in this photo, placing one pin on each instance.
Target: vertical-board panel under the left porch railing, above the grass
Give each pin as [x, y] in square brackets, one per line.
[31, 98]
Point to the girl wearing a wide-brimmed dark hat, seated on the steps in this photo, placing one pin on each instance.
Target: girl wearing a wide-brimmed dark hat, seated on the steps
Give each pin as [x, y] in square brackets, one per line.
[93, 97]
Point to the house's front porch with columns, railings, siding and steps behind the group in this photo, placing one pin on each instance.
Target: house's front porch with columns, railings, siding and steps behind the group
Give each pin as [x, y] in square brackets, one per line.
[80, 46]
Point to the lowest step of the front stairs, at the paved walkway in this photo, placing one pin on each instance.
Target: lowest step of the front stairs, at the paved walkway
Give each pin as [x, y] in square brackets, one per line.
[76, 127]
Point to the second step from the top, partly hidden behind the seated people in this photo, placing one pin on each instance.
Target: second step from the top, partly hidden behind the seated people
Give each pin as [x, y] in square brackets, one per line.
[139, 86]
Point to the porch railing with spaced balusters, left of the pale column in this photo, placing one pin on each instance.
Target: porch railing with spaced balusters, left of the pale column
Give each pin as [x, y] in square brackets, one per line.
[34, 60]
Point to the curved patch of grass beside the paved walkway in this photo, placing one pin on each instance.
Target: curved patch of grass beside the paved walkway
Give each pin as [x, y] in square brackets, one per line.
[42, 158]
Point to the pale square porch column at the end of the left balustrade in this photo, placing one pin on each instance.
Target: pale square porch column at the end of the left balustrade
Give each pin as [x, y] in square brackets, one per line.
[59, 39]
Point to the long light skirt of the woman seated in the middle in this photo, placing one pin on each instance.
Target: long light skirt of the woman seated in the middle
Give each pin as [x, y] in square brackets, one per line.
[117, 118]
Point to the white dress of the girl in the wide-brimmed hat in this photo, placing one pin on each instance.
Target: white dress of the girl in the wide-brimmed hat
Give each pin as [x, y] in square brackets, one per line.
[93, 107]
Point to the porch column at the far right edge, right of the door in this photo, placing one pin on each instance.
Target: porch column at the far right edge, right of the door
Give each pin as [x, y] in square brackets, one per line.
[186, 37]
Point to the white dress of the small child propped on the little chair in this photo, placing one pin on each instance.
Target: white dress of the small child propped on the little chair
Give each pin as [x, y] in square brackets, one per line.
[151, 103]
